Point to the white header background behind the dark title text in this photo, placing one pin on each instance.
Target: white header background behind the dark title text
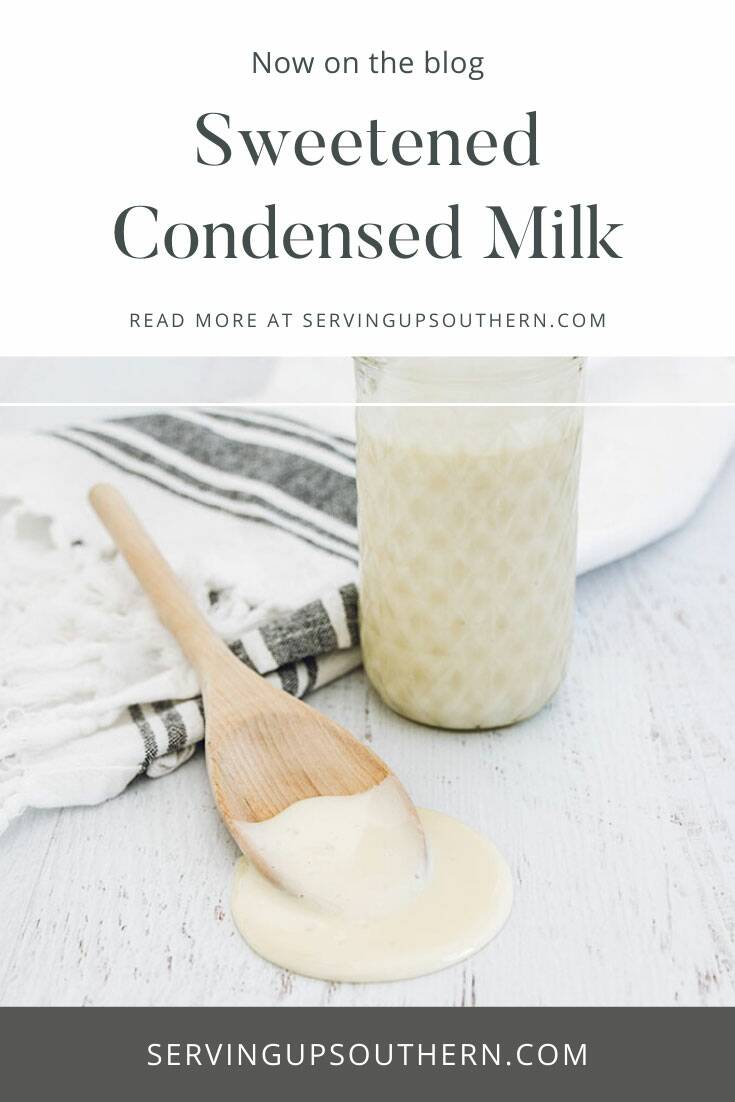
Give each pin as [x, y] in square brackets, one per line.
[634, 107]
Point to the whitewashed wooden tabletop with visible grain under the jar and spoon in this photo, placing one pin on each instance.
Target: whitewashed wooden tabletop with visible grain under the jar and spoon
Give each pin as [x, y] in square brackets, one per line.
[615, 808]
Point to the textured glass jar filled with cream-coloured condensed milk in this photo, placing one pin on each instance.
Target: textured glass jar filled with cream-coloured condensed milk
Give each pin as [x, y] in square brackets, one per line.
[468, 528]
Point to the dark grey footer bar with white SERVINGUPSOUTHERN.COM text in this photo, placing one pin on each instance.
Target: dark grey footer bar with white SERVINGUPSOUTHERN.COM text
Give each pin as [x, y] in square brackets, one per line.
[518, 1053]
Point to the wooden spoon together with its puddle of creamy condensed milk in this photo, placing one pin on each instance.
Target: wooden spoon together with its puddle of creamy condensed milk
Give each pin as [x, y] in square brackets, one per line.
[342, 878]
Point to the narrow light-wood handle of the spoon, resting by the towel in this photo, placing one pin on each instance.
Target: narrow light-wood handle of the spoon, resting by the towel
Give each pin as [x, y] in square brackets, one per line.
[172, 602]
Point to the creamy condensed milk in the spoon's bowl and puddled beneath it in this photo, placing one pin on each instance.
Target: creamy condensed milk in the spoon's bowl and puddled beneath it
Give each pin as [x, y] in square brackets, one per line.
[366, 912]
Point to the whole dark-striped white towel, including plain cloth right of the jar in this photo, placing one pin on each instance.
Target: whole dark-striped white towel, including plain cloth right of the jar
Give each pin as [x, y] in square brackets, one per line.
[256, 511]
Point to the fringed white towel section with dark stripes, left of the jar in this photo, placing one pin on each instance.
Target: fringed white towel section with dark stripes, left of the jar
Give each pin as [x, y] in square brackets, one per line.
[255, 510]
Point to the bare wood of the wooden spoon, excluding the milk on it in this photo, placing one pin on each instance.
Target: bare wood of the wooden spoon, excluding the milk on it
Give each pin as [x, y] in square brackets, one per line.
[265, 750]
